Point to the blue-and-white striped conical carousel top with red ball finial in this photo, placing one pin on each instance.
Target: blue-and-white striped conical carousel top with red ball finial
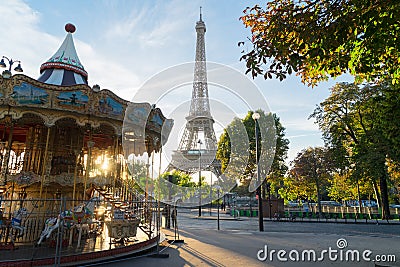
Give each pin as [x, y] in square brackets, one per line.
[64, 67]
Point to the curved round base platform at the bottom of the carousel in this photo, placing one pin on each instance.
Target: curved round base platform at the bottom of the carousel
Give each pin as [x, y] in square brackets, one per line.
[93, 249]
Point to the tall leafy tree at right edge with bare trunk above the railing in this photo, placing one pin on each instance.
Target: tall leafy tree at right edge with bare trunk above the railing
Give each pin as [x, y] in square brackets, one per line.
[351, 120]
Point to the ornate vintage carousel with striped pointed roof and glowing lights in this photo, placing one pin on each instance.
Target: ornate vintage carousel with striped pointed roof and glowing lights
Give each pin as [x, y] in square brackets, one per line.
[62, 161]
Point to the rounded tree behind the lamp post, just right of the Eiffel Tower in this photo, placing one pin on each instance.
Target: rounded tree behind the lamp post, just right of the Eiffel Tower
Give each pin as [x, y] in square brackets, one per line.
[278, 166]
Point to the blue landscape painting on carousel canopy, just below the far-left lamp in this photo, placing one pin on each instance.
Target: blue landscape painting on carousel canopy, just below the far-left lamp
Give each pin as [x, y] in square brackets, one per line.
[29, 95]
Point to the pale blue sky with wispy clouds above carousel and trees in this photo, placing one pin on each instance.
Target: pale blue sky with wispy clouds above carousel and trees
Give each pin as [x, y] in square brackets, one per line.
[122, 44]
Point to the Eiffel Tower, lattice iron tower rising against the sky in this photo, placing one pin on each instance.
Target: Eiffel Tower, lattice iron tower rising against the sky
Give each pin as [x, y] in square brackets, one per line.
[198, 145]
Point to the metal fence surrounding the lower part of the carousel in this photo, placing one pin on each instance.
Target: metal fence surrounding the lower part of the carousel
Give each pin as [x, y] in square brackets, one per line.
[65, 225]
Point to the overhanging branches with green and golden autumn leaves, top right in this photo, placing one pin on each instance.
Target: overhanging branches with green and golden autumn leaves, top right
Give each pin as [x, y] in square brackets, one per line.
[319, 39]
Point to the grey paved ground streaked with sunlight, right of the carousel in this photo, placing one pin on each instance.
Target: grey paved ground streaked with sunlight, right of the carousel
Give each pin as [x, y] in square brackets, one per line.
[238, 243]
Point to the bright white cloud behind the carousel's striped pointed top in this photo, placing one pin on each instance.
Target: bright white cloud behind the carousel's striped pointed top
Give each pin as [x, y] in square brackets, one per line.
[26, 42]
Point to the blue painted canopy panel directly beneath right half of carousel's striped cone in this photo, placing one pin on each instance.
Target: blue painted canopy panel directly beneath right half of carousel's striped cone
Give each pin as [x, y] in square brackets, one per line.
[72, 100]
